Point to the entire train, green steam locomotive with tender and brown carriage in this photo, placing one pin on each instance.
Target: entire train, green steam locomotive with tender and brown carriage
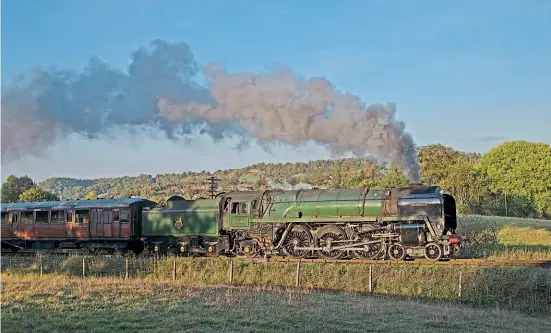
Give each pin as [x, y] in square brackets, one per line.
[373, 223]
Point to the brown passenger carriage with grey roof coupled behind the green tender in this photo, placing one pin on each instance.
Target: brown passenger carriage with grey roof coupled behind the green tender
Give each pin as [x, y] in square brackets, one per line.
[103, 224]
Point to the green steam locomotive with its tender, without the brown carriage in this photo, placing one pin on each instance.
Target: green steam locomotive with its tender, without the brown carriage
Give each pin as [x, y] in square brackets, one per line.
[373, 223]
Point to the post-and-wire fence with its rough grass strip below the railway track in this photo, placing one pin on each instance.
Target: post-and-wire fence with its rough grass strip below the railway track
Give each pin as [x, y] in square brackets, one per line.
[526, 289]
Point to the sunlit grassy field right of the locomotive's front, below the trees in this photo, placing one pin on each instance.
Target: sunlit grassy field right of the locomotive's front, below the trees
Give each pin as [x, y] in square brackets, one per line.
[507, 238]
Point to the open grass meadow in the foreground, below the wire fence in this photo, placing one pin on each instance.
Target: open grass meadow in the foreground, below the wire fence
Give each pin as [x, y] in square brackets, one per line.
[61, 304]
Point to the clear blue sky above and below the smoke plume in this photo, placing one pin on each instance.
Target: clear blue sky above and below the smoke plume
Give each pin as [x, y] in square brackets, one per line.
[466, 74]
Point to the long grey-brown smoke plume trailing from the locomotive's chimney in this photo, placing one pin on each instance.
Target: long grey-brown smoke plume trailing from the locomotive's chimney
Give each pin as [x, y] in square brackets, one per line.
[160, 89]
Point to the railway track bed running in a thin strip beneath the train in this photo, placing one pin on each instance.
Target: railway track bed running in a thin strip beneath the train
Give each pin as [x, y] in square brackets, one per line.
[416, 261]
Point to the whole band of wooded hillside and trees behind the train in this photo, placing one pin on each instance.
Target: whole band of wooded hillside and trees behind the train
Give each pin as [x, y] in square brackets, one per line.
[512, 179]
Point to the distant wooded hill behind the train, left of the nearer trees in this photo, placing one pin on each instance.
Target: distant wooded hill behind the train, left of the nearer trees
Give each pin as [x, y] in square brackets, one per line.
[350, 172]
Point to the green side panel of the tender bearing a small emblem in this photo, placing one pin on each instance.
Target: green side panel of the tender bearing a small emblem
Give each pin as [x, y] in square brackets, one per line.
[199, 217]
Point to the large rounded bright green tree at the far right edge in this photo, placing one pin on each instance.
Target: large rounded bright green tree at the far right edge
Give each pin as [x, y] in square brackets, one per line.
[520, 169]
